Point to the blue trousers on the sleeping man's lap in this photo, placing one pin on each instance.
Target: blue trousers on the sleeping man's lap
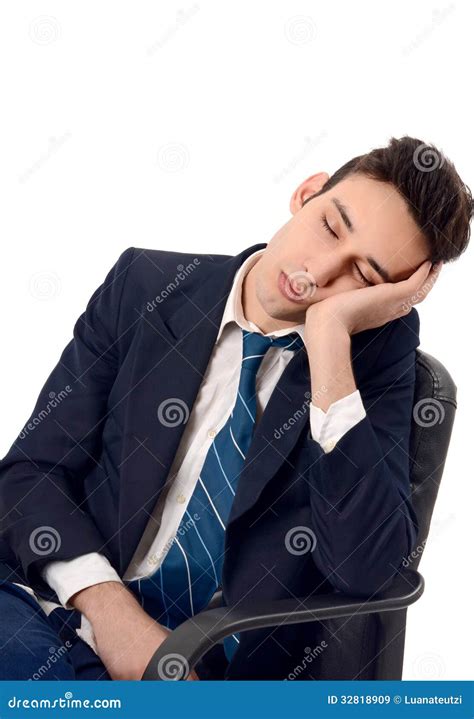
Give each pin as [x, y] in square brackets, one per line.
[37, 646]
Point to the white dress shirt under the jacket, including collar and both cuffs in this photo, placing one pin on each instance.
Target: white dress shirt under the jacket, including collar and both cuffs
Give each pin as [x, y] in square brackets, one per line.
[214, 402]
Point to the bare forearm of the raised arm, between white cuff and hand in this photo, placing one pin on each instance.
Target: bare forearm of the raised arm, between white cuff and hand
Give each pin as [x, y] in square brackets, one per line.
[329, 356]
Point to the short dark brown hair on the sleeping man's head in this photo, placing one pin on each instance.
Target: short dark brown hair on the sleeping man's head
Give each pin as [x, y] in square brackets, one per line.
[437, 199]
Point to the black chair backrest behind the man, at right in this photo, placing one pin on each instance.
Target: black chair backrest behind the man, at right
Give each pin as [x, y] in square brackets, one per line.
[372, 646]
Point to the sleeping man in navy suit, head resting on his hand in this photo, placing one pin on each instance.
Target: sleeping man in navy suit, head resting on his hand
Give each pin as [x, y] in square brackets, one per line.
[215, 412]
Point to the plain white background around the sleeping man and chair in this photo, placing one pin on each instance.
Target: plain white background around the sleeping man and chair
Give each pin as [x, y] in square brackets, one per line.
[187, 126]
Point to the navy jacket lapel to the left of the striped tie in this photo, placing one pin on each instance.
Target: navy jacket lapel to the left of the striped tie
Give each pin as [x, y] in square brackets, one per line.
[170, 355]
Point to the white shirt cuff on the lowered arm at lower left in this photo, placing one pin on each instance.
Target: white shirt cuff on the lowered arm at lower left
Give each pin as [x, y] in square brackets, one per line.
[70, 576]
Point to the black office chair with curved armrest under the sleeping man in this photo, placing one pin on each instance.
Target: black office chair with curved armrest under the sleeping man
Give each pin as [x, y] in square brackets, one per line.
[372, 630]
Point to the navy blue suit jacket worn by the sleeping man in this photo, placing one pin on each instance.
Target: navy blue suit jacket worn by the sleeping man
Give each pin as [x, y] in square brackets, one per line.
[94, 467]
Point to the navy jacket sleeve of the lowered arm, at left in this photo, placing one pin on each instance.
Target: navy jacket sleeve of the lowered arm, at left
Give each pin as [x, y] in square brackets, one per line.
[42, 476]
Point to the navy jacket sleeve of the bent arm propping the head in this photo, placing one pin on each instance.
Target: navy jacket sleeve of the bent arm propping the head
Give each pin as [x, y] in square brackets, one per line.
[363, 518]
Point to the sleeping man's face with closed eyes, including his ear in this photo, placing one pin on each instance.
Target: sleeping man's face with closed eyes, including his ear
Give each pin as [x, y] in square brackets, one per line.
[317, 263]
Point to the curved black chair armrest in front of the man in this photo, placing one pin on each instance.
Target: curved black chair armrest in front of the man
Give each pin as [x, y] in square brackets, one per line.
[184, 647]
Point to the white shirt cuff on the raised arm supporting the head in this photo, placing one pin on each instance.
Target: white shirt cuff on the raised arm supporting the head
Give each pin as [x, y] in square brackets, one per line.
[327, 428]
